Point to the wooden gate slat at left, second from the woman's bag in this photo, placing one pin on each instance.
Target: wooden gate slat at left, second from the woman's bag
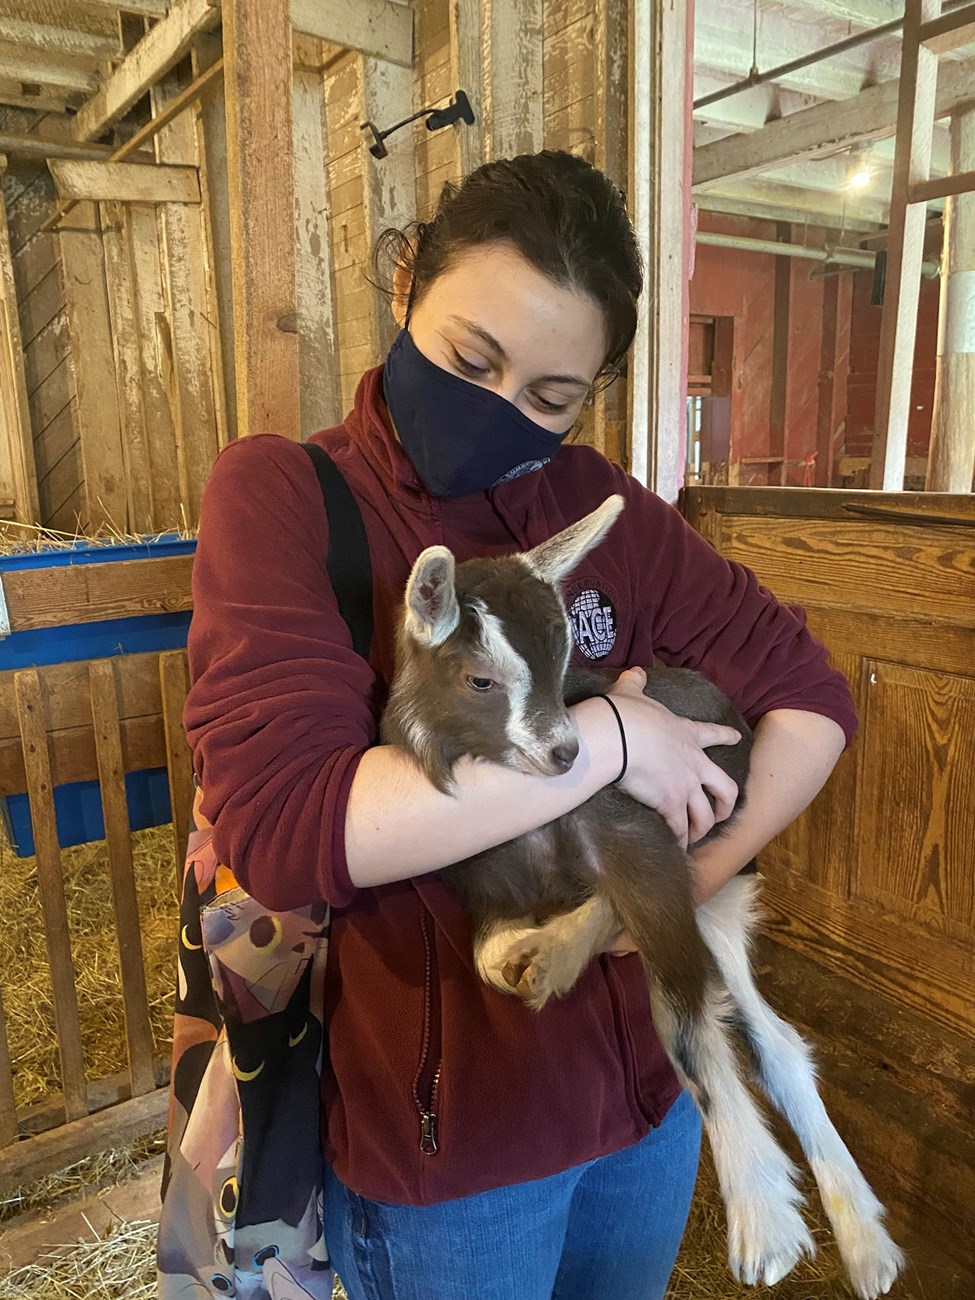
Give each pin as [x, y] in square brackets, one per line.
[105, 713]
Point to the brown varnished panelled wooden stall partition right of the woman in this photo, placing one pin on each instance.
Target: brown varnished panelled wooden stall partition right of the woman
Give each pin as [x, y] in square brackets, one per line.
[877, 882]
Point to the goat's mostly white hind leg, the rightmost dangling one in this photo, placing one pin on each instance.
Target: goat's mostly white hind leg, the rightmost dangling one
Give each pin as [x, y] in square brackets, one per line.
[787, 1074]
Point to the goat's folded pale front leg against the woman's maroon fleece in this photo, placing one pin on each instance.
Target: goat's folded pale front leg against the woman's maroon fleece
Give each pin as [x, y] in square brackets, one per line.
[539, 963]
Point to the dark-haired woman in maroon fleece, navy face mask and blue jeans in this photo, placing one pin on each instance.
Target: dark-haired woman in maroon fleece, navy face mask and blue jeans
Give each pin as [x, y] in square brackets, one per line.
[561, 1156]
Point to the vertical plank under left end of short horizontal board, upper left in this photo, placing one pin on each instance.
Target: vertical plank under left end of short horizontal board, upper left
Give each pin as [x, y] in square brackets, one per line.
[93, 361]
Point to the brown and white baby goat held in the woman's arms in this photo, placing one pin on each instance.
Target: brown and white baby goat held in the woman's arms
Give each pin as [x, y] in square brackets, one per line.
[483, 670]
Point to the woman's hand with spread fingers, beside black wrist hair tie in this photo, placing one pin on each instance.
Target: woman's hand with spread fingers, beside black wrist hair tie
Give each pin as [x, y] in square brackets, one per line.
[668, 768]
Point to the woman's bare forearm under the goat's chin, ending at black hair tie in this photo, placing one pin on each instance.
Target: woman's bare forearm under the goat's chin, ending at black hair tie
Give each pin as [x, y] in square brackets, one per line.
[400, 826]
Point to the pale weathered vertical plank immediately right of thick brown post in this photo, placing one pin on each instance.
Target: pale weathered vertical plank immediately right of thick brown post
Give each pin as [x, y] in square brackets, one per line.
[318, 345]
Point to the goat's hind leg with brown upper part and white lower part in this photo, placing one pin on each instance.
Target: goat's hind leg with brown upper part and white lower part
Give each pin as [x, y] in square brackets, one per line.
[692, 1009]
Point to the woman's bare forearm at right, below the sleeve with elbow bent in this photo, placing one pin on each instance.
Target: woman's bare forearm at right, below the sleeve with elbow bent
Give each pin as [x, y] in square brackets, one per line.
[792, 759]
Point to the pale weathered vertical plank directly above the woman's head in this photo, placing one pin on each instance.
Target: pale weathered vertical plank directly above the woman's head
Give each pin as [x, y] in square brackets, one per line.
[513, 96]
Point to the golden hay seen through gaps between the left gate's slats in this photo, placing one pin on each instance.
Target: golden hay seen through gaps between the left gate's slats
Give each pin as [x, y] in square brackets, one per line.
[25, 978]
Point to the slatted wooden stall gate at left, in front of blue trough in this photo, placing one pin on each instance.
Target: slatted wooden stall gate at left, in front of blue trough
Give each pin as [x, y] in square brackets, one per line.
[75, 722]
